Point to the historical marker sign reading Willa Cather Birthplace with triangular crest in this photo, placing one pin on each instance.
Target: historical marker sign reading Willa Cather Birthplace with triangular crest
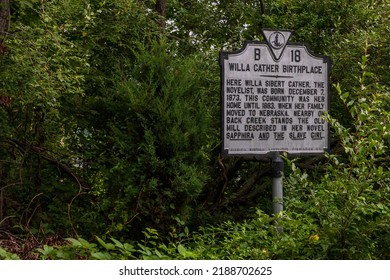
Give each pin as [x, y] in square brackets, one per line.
[273, 97]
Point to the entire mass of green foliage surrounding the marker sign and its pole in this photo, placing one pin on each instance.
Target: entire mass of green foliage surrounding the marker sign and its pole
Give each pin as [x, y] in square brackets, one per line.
[112, 130]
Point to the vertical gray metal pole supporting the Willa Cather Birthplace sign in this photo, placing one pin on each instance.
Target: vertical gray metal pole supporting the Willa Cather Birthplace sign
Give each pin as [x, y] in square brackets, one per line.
[277, 183]
